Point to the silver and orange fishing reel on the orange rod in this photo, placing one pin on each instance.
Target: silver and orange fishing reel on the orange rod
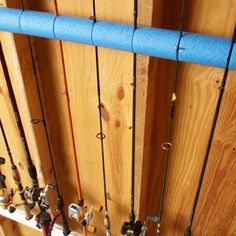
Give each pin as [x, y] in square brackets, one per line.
[83, 215]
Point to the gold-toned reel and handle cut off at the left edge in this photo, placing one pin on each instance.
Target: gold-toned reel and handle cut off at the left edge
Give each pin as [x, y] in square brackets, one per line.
[6, 195]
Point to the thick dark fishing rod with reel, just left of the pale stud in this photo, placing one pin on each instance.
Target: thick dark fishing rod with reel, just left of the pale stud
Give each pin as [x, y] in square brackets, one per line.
[32, 193]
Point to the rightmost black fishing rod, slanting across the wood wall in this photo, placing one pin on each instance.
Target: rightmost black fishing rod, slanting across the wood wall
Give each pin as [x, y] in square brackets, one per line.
[188, 230]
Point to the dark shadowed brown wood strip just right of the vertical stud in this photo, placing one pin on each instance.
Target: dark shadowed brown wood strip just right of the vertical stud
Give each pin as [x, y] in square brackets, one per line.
[157, 120]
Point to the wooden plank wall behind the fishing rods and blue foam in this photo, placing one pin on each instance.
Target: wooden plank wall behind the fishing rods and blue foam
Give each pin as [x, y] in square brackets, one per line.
[196, 99]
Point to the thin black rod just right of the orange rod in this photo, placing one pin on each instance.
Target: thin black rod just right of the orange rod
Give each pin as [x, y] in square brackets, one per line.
[101, 135]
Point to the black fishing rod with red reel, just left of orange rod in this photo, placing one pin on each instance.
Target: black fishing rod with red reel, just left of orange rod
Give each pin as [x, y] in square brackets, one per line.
[44, 219]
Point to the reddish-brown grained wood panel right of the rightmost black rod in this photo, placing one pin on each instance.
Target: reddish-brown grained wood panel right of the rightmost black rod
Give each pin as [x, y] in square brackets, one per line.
[218, 191]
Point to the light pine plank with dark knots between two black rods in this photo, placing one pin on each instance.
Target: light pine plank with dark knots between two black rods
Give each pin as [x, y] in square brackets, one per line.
[116, 94]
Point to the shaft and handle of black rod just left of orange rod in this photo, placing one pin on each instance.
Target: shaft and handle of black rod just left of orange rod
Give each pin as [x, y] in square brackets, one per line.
[60, 201]
